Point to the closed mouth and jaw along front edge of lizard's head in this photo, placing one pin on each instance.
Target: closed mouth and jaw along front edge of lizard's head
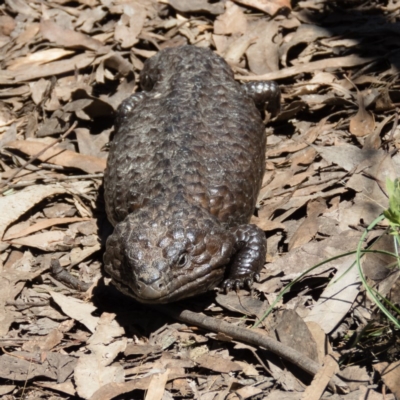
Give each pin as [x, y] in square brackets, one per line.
[160, 293]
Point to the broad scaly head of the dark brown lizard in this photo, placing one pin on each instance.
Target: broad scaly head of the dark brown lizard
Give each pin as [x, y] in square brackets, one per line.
[163, 256]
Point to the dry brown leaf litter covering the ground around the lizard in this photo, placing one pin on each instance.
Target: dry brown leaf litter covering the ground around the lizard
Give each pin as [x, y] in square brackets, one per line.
[65, 68]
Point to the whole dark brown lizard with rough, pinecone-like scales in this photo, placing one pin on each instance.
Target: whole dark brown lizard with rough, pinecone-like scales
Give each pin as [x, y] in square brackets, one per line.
[182, 179]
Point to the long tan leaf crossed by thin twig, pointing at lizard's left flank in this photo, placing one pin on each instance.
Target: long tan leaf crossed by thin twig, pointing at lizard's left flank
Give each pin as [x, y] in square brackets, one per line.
[59, 156]
